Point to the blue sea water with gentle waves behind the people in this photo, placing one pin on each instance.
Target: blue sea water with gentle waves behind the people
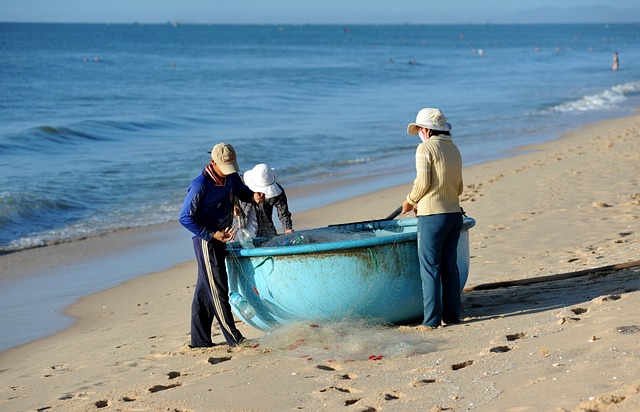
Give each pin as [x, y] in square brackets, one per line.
[102, 127]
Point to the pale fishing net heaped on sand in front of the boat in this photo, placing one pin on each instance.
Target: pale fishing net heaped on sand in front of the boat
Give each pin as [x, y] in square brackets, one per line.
[346, 340]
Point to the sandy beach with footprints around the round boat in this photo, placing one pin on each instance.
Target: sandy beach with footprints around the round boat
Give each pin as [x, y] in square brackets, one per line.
[565, 206]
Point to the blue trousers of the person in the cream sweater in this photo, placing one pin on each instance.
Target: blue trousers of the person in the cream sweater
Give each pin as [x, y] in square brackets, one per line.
[438, 255]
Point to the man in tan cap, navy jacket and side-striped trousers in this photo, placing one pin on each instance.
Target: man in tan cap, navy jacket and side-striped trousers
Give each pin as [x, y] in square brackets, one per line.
[207, 213]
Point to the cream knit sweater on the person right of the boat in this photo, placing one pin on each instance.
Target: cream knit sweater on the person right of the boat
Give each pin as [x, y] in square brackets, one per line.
[438, 183]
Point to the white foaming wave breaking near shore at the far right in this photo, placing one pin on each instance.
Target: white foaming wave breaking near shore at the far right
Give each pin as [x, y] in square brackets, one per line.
[607, 99]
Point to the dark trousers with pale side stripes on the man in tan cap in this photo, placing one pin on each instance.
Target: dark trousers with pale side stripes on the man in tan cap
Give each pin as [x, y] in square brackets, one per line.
[211, 297]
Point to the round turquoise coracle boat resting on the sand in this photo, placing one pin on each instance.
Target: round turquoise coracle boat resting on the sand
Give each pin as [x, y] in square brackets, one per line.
[366, 270]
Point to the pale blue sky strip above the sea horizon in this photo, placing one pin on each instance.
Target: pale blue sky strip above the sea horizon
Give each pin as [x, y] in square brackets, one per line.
[319, 11]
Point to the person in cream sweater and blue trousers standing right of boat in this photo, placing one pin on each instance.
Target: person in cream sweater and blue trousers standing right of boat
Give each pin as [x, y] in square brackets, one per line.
[435, 198]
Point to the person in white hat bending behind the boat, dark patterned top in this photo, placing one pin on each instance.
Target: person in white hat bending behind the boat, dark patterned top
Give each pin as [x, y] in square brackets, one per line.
[257, 219]
